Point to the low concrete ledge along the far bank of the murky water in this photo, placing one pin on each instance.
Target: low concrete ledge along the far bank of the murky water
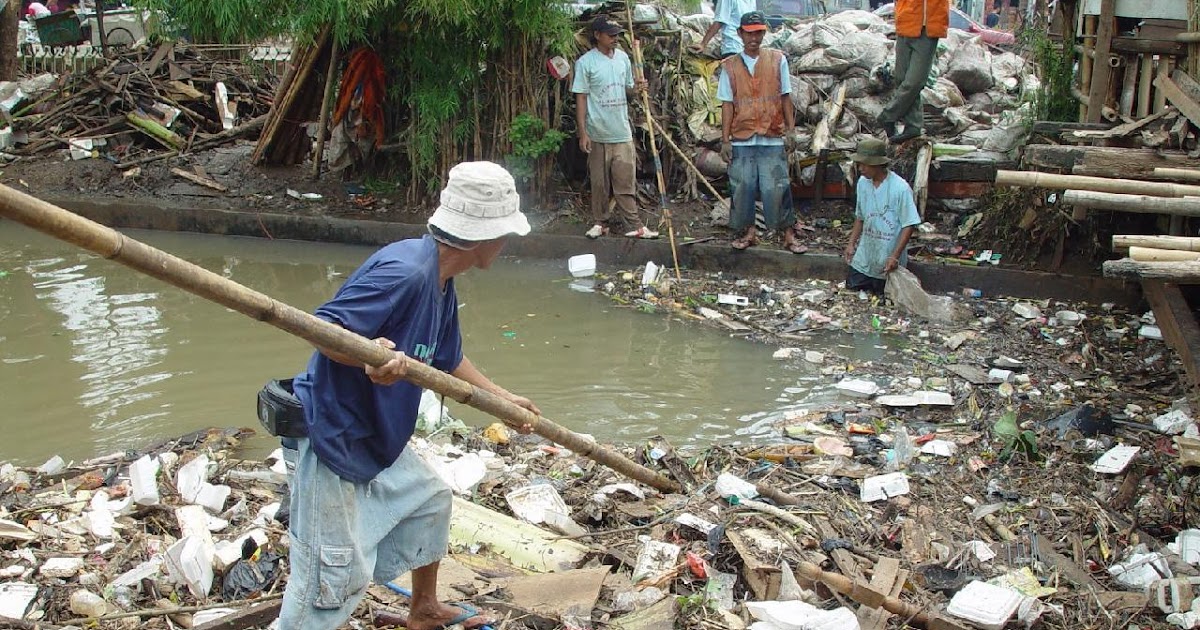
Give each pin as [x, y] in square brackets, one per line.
[609, 251]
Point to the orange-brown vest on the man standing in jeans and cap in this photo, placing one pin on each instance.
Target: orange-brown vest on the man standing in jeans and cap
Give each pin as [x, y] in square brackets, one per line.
[758, 106]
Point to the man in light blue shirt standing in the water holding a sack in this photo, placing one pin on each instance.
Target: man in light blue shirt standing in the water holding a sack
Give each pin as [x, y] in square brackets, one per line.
[885, 219]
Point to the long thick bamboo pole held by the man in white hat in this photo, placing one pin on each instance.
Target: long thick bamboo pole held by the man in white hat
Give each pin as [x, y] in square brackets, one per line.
[113, 245]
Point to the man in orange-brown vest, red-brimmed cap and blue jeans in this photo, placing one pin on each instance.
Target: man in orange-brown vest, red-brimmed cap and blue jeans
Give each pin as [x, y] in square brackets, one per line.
[757, 128]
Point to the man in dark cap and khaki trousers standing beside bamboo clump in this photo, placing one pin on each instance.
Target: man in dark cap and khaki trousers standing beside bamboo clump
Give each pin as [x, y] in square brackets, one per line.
[603, 85]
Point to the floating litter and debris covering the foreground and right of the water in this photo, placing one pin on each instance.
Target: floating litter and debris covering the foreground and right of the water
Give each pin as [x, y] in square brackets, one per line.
[1033, 465]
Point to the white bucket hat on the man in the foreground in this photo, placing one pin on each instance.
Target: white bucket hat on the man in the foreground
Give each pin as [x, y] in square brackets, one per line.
[481, 203]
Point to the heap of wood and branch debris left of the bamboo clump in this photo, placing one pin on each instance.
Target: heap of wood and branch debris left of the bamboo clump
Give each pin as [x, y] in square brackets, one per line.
[143, 103]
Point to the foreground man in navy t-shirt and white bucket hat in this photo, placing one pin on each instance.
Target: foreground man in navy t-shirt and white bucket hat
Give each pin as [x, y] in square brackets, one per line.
[363, 506]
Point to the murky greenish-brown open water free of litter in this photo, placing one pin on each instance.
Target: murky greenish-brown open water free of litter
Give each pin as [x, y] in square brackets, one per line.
[97, 358]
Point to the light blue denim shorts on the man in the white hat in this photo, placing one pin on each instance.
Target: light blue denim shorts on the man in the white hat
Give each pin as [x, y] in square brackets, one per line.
[345, 535]
